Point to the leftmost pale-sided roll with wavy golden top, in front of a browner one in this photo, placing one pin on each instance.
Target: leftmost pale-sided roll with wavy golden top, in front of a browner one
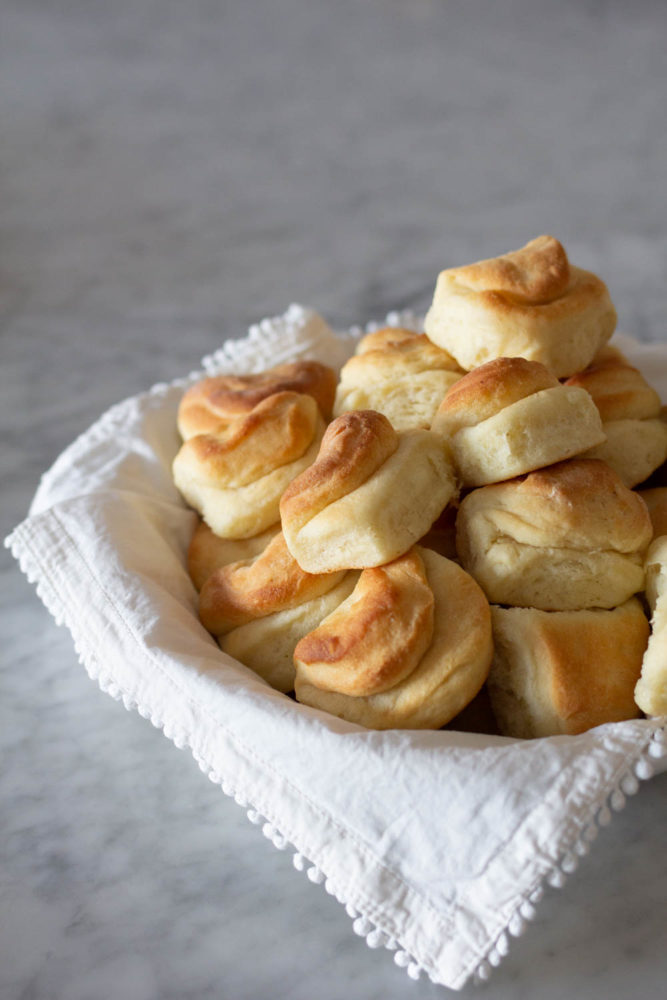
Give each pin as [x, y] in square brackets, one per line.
[235, 476]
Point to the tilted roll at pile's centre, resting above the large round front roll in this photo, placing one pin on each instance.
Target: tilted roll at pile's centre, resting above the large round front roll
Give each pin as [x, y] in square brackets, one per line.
[369, 496]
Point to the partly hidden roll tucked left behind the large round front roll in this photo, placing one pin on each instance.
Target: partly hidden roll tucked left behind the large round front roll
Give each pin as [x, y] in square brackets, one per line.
[259, 609]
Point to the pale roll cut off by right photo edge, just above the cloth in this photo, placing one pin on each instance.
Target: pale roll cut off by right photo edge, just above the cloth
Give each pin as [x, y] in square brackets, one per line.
[651, 690]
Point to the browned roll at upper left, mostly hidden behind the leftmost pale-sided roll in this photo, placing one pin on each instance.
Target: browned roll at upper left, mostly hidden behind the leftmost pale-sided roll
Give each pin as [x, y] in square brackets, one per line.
[217, 401]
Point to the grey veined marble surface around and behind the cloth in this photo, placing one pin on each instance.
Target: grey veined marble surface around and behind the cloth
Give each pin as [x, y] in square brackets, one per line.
[169, 173]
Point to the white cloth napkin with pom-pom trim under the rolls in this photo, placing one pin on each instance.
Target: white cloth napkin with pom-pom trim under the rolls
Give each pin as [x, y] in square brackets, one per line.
[439, 843]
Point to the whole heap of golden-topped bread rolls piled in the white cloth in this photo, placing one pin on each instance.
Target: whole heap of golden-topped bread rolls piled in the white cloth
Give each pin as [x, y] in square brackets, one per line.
[456, 519]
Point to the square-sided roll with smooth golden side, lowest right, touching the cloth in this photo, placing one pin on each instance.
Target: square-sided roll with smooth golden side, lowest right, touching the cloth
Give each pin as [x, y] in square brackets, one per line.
[556, 672]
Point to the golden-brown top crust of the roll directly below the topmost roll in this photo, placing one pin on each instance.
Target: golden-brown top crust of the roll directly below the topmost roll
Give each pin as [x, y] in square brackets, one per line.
[486, 390]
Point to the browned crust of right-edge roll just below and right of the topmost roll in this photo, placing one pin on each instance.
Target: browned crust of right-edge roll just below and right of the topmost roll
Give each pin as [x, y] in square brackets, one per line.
[618, 389]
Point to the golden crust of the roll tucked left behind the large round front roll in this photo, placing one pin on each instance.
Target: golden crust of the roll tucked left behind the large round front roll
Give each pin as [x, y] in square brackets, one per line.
[249, 589]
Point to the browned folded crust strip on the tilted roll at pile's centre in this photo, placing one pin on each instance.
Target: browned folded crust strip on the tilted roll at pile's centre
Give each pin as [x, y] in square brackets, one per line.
[353, 447]
